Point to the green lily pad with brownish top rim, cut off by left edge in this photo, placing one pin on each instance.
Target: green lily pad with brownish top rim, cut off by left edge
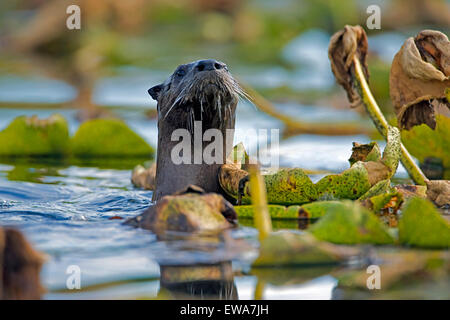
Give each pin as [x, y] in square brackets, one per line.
[30, 136]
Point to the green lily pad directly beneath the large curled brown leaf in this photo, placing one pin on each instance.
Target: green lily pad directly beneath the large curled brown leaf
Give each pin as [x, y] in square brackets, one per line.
[423, 142]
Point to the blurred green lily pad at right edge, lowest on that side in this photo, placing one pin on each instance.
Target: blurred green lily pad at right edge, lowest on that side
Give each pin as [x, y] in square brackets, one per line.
[422, 225]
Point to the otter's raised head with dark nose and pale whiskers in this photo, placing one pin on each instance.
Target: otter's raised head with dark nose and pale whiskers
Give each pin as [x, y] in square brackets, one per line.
[202, 90]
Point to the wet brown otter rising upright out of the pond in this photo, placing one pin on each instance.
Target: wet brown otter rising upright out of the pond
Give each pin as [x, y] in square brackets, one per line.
[205, 91]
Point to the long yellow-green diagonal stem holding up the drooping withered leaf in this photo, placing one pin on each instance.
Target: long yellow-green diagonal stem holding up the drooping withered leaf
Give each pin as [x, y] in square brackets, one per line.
[382, 125]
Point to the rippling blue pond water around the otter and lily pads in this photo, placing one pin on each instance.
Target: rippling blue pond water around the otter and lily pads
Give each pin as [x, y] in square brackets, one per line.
[68, 211]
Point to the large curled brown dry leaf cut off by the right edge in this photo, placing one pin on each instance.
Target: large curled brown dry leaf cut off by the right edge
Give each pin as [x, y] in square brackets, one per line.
[419, 78]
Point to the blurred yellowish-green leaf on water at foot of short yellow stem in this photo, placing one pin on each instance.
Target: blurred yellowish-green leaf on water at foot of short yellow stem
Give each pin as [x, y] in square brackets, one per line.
[284, 248]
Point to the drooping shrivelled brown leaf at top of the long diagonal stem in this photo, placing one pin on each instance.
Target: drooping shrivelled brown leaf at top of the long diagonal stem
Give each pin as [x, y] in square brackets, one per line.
[344, 46]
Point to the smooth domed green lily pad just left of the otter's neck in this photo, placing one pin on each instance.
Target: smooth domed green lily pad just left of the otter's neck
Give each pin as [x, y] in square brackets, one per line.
[108, 138]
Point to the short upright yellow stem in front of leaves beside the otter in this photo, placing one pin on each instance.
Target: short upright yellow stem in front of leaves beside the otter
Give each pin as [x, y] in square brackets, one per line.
[259, 201]
